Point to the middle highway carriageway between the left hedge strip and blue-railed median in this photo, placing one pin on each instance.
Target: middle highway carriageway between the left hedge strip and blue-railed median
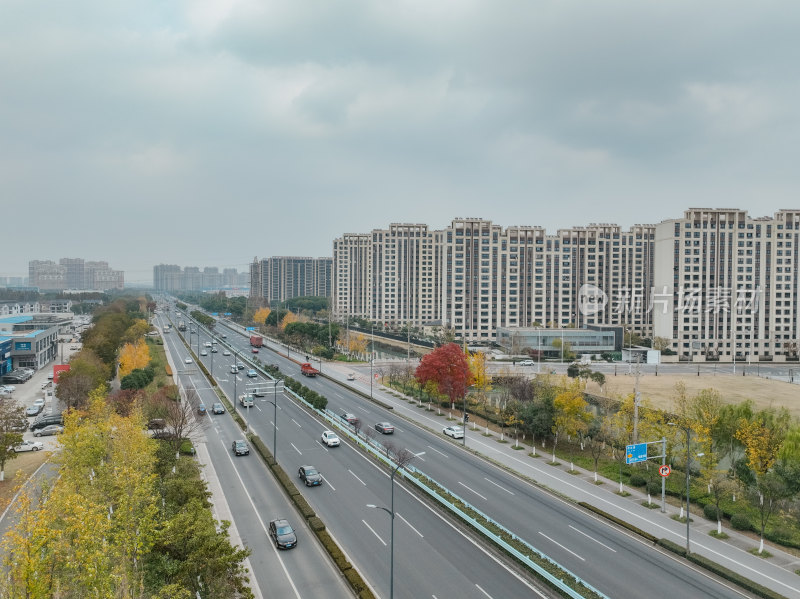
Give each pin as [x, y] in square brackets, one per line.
[432, 557]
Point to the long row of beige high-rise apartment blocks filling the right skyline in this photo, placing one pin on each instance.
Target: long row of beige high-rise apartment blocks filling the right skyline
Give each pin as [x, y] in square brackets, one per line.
[708, 282]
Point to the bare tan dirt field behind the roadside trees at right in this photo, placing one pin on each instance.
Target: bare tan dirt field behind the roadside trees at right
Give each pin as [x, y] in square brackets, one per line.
[659, 390]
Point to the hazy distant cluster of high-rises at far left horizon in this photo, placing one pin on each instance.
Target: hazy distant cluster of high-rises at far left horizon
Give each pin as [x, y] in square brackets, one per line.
[74, 273]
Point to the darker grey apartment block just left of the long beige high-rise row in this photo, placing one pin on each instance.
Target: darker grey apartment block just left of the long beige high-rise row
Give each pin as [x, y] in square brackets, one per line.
[280, 278]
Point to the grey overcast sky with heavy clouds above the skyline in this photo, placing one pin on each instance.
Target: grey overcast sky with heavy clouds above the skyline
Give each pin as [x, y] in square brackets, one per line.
[207, 132]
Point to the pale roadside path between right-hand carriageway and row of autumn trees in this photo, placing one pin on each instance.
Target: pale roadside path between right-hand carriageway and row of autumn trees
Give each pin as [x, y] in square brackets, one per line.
[776, 572]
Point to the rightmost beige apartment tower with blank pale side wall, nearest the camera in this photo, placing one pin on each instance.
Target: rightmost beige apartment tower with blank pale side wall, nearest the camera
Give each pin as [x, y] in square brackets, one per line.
[726, 284]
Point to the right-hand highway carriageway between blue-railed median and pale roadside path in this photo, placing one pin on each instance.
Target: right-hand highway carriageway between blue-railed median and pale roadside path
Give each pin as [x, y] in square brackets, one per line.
[618, 564]
